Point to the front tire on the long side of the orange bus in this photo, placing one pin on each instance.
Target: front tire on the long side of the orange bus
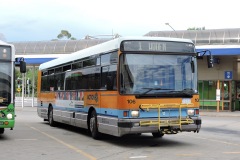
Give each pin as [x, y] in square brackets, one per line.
[93, 127]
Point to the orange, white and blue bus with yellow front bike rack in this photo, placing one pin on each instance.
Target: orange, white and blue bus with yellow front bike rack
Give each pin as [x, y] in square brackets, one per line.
[128, 85]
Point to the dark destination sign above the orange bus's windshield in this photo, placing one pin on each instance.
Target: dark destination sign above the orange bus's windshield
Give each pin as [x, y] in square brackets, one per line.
[157, 46]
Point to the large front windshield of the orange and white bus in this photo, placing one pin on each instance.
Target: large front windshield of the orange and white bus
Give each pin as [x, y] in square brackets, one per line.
[158, 74]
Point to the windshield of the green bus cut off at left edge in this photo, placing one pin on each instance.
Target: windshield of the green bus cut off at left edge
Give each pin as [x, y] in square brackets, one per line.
[5, 83]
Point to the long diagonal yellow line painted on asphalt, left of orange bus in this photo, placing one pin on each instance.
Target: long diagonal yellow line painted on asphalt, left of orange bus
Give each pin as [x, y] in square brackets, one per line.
[66, 144]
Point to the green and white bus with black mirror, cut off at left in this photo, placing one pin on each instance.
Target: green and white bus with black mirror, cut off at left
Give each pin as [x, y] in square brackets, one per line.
[7, 85]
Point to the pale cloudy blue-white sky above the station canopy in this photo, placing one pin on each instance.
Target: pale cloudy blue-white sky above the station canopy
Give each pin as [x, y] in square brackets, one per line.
[43, 20]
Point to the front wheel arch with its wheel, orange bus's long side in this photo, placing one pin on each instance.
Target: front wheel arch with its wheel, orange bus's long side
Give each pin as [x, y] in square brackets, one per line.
[93, 124]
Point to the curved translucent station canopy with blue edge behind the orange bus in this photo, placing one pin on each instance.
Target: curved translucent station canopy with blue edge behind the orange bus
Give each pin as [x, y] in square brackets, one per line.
[222, 42]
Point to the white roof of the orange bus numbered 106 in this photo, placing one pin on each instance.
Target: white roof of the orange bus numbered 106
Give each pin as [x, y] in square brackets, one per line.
[102, 48]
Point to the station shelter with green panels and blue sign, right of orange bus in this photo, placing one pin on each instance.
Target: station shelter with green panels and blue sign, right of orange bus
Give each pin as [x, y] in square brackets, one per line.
[219, 87]
